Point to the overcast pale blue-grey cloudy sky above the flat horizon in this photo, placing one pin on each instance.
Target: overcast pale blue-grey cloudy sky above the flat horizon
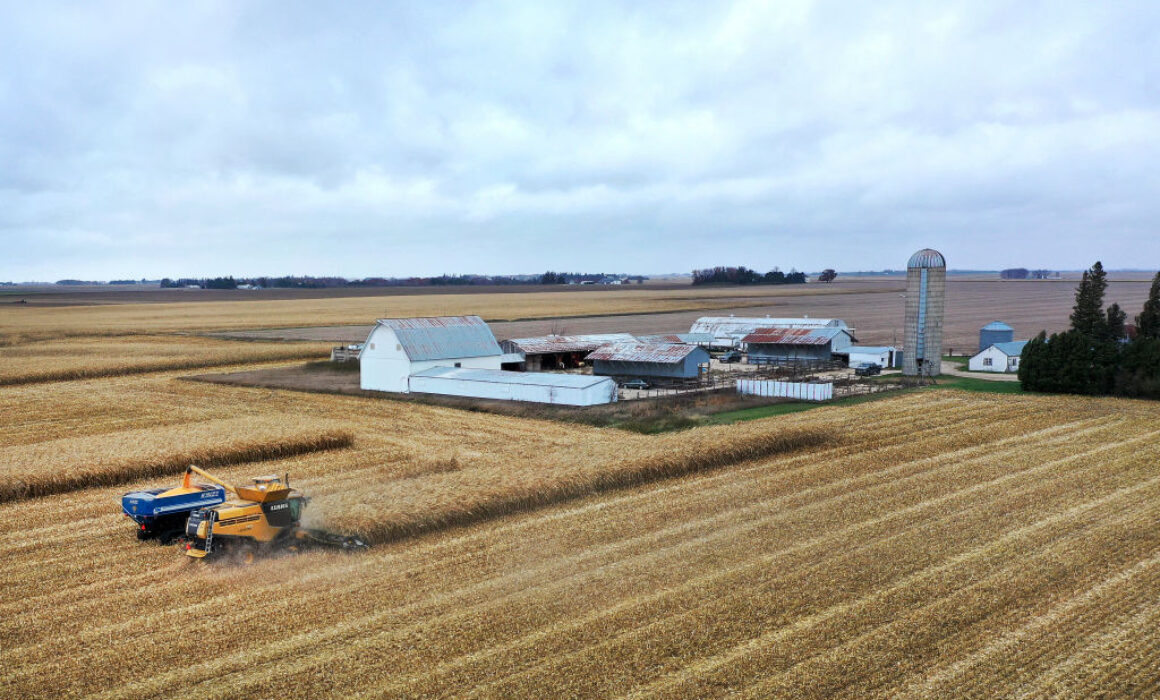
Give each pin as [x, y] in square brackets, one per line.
[396, 139]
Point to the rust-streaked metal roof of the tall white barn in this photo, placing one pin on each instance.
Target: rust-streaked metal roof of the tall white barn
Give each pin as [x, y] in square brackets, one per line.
[444, 337]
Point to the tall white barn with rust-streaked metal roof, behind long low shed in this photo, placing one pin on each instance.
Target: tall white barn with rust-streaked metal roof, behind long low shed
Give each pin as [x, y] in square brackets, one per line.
[400, 348]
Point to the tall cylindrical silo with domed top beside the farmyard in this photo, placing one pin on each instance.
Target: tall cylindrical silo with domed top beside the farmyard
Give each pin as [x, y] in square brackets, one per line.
[926, 294]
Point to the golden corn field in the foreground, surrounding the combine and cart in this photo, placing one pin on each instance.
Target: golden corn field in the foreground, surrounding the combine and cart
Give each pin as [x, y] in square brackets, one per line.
[937, 544]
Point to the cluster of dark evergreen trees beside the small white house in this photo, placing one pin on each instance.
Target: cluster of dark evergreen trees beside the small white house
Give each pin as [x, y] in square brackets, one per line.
[1100, 353]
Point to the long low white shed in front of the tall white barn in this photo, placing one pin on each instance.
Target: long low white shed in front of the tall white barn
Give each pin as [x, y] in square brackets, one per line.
[563, 389]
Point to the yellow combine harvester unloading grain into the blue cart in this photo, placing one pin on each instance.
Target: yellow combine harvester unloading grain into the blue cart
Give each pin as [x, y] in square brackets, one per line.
[260, 518]
